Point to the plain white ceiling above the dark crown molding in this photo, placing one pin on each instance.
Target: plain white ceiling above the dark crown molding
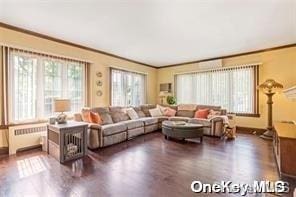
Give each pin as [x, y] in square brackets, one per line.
[160, 32]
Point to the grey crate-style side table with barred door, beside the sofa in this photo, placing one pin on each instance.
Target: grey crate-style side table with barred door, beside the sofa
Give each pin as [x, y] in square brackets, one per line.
[67, 141]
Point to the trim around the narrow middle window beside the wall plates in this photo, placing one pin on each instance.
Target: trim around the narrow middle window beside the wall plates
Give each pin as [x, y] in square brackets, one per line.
[125, 70]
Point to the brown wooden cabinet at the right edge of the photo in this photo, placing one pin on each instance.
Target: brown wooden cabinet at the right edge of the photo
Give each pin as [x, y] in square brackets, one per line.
[284, 145]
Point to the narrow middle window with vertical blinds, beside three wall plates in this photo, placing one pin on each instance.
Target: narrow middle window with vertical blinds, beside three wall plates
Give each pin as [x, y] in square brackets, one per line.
[127, 88]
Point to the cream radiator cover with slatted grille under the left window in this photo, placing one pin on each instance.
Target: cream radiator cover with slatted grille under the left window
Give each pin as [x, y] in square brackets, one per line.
[25, 136]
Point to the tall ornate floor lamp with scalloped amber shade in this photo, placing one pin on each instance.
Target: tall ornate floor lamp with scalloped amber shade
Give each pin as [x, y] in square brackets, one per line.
[269, 88]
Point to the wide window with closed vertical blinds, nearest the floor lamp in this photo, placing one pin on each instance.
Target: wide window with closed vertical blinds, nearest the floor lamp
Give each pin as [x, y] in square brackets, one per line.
[232, 88]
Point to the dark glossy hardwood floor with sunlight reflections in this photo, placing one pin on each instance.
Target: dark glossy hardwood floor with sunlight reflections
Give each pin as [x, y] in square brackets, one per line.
[145, 166]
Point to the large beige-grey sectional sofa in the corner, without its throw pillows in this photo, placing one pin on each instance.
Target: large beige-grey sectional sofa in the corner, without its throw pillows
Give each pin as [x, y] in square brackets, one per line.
[117, 127]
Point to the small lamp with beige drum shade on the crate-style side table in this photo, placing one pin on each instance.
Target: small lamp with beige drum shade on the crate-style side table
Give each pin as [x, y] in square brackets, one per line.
[62, 105]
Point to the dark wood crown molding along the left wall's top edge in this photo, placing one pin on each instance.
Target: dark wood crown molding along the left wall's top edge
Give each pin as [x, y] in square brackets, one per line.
[32, 33]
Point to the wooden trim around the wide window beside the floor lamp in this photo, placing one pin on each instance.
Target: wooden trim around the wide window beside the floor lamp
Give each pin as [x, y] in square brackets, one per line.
[256, 113]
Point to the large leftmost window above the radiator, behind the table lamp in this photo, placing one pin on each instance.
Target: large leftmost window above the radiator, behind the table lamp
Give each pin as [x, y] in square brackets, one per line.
[36, 80]
